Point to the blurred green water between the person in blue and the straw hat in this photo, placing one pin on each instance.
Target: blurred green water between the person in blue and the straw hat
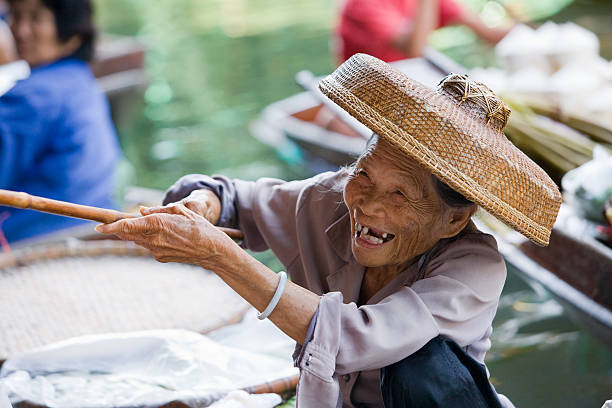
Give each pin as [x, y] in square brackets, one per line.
[213, 66]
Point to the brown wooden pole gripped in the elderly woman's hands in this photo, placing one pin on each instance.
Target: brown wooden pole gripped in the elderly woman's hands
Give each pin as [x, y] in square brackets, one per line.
[102, 215]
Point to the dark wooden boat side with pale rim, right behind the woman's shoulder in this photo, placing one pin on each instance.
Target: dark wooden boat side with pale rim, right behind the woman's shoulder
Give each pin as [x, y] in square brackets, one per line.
[574, 268]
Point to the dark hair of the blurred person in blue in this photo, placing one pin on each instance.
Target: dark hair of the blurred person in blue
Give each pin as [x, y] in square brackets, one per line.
[74, 17]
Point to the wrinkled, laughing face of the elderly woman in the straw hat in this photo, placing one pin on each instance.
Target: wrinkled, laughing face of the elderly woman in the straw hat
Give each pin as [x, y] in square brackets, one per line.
[396, 212]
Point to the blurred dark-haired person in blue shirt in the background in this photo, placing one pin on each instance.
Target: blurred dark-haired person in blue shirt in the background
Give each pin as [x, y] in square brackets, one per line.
[56, 135]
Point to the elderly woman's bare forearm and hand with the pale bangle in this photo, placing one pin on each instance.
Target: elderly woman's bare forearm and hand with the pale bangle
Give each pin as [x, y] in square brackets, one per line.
[177, 234]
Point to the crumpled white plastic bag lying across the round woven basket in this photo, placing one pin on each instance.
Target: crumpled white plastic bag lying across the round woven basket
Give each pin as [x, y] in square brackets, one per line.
[149, 368]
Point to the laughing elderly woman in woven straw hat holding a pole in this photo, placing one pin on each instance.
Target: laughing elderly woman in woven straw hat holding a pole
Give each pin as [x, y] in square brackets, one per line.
[393, 288]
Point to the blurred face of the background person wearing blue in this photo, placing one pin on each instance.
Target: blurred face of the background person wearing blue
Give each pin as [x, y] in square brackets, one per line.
[35, 32]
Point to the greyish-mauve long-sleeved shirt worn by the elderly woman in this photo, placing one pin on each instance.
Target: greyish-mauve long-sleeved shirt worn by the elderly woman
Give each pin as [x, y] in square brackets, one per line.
[307, 226]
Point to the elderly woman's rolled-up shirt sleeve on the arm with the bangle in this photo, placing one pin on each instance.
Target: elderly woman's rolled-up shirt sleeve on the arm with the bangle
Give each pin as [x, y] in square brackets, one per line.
[458, 300]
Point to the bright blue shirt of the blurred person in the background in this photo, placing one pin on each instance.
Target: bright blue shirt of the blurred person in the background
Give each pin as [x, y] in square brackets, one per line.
[57, 141]
